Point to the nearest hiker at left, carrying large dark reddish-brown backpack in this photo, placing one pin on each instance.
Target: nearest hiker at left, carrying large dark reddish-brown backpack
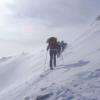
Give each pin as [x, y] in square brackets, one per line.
[52, 46]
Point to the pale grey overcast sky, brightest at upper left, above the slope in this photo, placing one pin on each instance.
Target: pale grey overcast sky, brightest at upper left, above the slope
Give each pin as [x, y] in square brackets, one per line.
[27, 23]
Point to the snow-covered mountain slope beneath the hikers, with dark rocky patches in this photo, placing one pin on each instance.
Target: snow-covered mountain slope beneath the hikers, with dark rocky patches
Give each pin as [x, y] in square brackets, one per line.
[76, 77]
